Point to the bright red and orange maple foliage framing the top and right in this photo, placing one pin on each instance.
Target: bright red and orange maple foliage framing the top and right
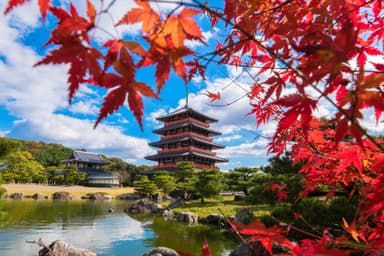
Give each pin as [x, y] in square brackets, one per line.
[304, 51]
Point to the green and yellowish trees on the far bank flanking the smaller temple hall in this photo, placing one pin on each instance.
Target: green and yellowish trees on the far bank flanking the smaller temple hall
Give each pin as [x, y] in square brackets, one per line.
[39, 162]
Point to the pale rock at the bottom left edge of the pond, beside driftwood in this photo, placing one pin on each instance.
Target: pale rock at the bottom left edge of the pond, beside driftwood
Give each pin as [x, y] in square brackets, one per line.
[60, 248]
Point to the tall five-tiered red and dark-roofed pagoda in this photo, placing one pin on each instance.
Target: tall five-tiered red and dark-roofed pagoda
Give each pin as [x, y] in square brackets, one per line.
[186, 136]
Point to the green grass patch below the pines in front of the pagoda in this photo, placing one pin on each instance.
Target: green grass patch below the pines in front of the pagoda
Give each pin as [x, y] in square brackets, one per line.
[226, 205]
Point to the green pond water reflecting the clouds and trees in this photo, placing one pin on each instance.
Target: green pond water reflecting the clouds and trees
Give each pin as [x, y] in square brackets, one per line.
[87, 224]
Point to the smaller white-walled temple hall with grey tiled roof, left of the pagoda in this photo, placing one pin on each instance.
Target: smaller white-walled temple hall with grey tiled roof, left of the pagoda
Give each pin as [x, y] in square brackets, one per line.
[93, 165]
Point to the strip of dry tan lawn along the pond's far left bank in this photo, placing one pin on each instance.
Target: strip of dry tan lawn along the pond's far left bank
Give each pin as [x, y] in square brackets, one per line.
[74, 191]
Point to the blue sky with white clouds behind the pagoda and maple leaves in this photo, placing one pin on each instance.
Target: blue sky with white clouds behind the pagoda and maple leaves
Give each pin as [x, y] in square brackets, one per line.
[34, 105]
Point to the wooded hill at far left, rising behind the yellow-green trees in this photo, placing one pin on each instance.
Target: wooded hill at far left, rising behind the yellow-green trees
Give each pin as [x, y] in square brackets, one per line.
[47, 154]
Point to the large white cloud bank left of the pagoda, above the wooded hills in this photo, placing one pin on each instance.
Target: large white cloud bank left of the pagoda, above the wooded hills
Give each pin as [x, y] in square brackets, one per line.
[38, 97]
